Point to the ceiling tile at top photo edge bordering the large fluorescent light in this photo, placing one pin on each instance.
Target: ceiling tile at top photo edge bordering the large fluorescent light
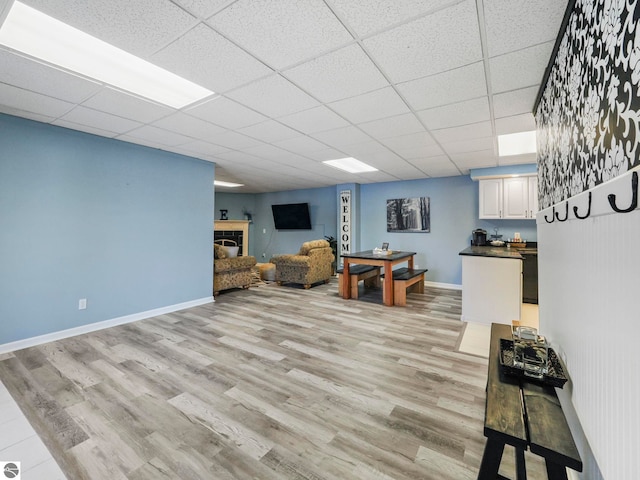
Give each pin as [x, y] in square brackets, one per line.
[139, 27]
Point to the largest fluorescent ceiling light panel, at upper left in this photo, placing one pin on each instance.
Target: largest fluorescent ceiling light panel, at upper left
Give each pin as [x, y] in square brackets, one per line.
[32, 32]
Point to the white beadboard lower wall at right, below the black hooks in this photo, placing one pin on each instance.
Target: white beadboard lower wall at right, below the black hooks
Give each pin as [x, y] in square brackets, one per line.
[589, 281]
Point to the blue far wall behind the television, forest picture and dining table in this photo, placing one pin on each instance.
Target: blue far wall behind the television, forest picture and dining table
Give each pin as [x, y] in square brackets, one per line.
[454, 215]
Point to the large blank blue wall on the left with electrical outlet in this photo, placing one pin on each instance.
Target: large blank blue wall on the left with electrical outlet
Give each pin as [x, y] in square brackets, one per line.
[127, 227]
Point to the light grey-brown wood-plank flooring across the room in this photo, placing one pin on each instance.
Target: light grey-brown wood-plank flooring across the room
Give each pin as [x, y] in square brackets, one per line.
[266, 383]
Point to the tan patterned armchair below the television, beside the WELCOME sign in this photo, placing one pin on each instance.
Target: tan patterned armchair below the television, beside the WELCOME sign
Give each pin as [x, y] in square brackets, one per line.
[312, 264]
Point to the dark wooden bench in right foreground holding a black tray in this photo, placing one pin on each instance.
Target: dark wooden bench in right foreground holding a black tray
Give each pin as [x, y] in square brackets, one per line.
[524, 415]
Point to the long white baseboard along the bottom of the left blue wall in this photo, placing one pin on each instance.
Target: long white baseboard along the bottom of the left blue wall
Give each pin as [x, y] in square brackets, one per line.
[92, 327]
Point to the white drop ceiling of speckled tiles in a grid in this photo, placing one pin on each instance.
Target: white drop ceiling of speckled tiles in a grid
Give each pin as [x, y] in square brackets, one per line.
[415, 88]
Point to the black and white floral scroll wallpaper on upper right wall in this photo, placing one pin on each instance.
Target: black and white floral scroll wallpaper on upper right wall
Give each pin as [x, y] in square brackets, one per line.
[588, 114]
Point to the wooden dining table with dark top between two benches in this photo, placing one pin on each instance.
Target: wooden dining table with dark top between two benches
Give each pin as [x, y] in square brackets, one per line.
[386, 260]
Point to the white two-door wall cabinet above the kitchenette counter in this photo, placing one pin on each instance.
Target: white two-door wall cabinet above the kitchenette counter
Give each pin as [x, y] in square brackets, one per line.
[513, 198]
